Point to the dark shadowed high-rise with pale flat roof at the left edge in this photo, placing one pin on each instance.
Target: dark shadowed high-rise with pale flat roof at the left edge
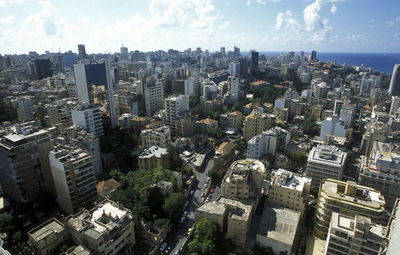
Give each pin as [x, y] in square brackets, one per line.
[24, 165]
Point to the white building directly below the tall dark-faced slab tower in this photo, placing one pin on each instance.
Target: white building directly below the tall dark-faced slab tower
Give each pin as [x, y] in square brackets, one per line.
[88, 117]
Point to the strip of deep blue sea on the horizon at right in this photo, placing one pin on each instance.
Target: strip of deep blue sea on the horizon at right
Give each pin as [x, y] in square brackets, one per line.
[381, 62]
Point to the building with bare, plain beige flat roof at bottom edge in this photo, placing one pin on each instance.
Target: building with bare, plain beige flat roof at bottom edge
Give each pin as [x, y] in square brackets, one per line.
[278, 230]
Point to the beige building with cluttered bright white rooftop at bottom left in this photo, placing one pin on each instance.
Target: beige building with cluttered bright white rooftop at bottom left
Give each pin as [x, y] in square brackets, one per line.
[106, 229]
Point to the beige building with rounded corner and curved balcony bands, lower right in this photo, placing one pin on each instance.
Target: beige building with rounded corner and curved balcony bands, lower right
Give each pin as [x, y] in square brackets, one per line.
[349, 199]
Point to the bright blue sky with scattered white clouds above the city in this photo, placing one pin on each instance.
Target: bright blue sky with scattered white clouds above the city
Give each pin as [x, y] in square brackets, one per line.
[265, 25]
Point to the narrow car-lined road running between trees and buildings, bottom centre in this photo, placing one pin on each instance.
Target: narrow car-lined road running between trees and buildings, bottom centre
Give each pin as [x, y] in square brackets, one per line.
[178, 236]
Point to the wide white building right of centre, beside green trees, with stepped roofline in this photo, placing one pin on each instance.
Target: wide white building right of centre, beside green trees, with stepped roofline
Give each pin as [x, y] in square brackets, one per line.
[269, 141]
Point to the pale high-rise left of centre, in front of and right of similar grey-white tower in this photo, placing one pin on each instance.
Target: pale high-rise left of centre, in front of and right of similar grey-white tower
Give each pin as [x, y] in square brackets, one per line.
[177, 115]
